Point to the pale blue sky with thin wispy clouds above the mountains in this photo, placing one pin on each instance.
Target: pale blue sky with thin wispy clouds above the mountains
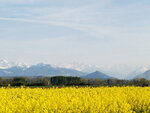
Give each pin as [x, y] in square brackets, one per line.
[62, 31]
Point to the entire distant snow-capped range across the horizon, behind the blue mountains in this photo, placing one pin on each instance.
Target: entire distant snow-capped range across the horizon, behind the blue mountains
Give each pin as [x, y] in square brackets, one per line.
[117, 71]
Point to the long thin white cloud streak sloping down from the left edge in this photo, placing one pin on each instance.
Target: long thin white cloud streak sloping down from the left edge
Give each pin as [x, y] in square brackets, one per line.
[89, 29]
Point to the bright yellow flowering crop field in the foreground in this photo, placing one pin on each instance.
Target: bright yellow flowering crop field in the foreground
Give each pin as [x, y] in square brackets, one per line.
[75, 100]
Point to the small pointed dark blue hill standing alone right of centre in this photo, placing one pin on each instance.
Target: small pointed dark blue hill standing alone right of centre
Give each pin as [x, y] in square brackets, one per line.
[97, 74]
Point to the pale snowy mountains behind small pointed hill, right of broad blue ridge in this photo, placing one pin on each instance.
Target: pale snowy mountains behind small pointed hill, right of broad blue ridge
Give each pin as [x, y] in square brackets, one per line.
[119, 71]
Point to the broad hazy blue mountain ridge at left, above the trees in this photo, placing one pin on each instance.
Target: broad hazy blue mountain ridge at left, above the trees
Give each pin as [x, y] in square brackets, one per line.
[39, 70]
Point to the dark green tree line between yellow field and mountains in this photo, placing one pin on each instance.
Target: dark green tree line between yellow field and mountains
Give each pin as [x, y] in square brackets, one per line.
[70, 81]
